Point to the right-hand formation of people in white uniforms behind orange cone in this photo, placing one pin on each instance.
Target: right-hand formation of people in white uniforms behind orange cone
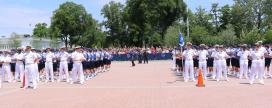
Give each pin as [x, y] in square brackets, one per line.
[218, 62]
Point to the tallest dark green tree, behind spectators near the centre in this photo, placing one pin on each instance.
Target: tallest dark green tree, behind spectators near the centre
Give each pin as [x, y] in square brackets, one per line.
[146, 17]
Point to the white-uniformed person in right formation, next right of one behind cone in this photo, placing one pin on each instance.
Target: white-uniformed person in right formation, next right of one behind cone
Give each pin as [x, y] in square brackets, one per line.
[221, 66]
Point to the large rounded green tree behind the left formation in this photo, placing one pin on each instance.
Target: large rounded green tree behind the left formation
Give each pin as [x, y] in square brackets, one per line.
[69, 22]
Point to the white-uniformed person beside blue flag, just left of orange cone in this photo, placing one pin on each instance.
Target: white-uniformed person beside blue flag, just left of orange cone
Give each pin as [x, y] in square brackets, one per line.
[188, 55]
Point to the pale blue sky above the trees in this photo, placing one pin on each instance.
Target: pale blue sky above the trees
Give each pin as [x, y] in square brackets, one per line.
[20, 16]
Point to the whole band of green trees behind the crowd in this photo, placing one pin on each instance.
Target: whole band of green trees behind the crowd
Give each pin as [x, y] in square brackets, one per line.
[154, 23]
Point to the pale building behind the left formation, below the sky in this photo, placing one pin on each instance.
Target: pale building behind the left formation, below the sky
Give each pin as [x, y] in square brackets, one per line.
[7, 43]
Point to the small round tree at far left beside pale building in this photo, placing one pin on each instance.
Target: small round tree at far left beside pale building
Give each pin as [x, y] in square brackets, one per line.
[41, 30]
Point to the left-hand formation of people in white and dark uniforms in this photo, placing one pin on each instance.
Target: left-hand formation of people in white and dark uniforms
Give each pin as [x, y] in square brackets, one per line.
[34, 66]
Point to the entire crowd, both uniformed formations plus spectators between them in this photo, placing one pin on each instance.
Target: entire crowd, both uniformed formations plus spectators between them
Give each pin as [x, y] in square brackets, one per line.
[81, 64]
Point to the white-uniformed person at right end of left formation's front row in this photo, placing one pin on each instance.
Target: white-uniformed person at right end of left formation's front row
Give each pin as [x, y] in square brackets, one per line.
[77, 71]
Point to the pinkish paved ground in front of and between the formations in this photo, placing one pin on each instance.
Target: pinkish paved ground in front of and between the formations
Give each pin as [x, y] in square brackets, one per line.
[143, 86]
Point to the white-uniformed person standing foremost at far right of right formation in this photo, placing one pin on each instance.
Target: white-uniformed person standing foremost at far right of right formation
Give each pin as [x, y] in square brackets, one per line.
[257, 68]
